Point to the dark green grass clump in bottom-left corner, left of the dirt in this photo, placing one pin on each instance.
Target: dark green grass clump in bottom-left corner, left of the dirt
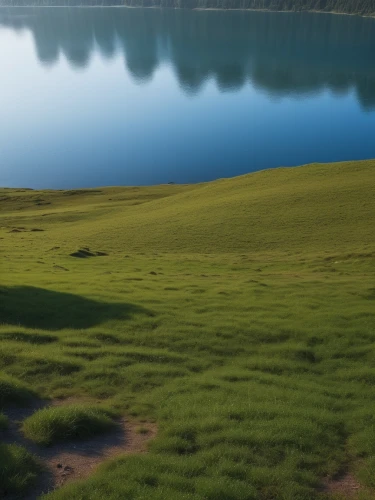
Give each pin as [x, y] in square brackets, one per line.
[18, 470]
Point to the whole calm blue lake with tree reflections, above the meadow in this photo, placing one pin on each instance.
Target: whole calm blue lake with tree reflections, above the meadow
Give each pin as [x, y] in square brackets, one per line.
[116, 96]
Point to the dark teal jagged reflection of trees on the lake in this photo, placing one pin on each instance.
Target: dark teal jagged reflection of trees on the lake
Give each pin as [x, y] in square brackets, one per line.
[279, 53]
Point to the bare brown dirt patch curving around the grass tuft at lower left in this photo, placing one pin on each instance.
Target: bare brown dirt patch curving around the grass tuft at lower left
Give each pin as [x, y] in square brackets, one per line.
[72, 460]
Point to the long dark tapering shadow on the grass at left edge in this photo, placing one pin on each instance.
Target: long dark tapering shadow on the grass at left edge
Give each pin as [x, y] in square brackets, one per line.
[33, 307]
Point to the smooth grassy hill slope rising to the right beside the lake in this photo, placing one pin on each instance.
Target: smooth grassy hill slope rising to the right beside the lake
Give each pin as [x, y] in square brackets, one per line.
[279, 210]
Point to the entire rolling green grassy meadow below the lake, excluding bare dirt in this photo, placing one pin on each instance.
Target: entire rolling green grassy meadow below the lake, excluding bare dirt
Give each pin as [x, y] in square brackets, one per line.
[238, 315]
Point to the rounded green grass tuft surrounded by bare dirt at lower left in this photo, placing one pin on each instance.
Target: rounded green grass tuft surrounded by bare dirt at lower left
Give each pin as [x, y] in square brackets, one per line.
[51, 425]
